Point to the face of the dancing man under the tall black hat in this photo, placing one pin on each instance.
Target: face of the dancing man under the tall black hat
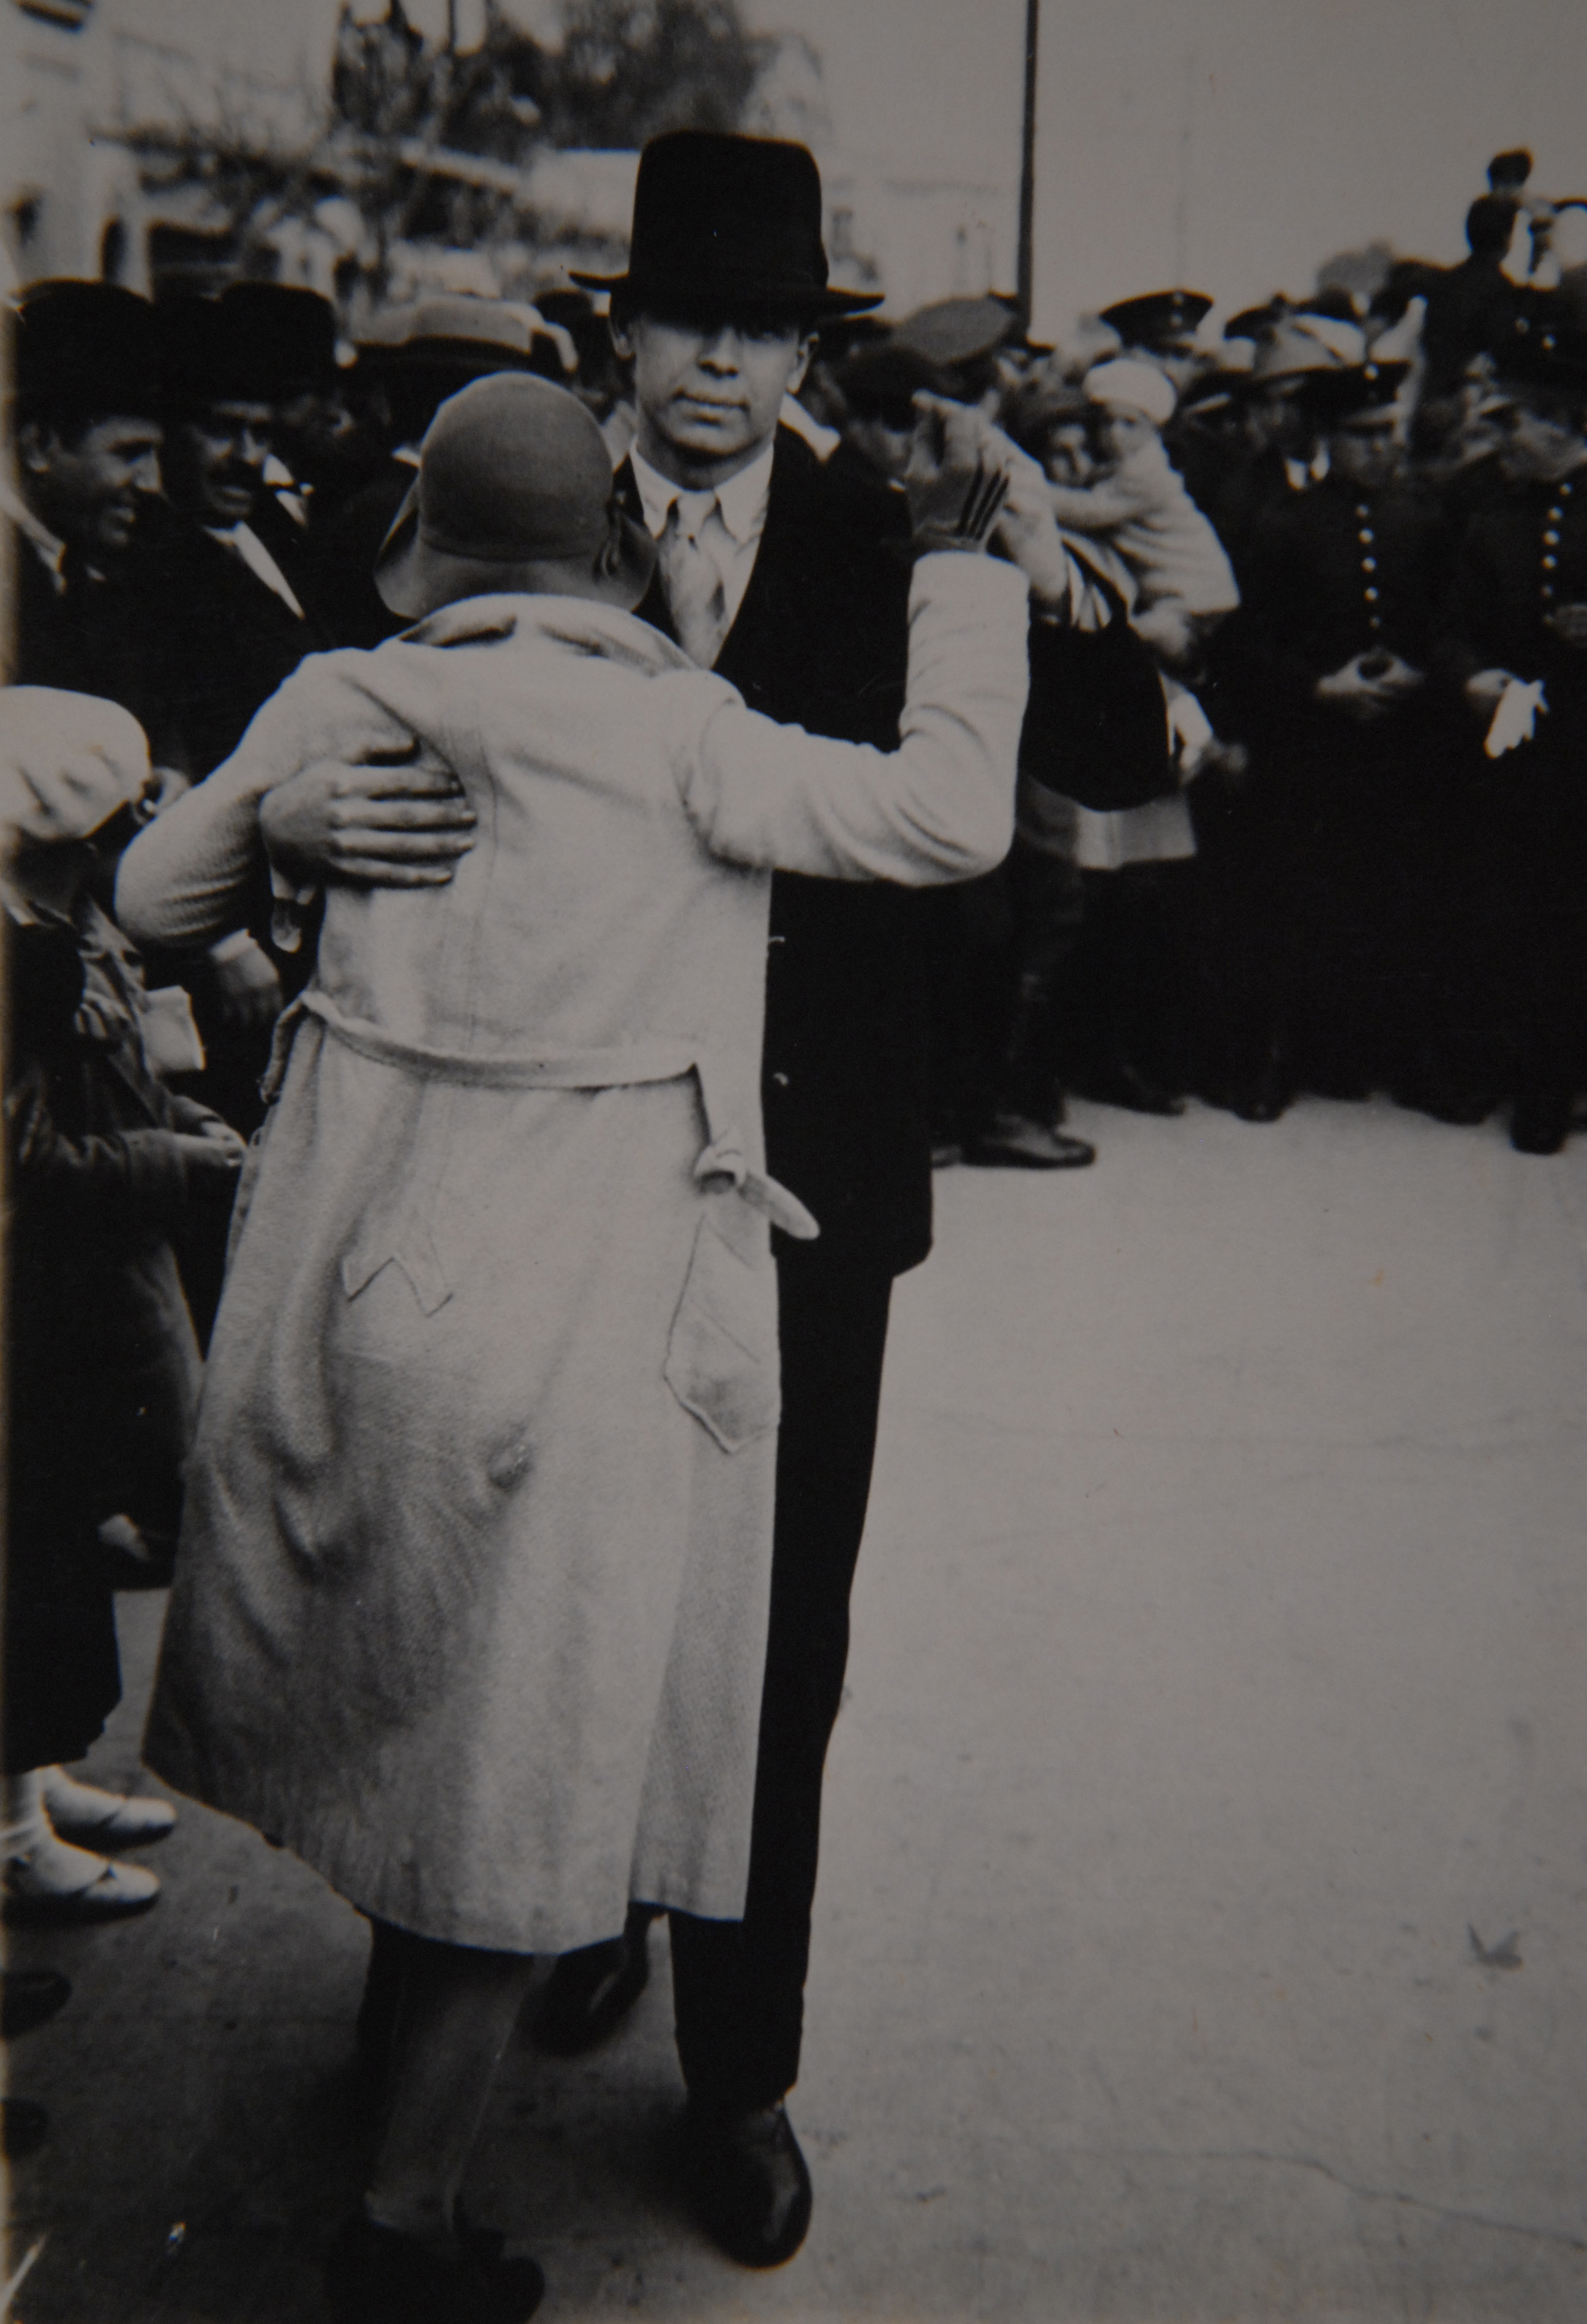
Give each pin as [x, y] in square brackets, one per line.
[710, 387]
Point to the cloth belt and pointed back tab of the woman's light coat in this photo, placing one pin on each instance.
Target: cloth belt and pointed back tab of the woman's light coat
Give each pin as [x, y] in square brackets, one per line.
[617, 1068]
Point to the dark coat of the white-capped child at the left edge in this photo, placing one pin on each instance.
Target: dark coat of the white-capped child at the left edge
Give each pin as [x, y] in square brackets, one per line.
[101, 1356]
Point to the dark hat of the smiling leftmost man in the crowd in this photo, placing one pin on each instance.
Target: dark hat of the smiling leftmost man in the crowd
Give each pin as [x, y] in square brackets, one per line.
[85, 352]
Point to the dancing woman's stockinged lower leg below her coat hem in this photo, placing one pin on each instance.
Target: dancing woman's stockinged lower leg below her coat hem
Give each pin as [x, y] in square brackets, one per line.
[454, 2021]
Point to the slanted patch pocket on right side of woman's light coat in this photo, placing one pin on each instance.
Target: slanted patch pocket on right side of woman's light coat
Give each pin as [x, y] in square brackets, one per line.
[721, 1356]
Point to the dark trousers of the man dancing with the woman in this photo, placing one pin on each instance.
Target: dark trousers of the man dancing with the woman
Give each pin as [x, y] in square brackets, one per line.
[740, 1986]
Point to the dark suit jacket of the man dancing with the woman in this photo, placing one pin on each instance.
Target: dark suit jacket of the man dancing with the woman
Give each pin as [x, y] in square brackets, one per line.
[821, 643]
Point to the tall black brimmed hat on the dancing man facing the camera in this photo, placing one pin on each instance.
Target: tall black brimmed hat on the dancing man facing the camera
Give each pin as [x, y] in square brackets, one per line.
[728, 224]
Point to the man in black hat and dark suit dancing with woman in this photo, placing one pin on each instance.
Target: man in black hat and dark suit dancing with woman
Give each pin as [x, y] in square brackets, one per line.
[791, 582]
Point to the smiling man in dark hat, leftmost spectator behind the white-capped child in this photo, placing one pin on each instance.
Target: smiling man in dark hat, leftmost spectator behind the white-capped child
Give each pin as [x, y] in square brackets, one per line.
[85, 422]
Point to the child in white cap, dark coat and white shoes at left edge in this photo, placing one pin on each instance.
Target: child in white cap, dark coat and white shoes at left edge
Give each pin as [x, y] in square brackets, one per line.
[101, 1356]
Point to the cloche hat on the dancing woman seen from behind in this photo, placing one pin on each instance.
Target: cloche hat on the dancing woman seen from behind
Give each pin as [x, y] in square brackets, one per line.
[512, 473]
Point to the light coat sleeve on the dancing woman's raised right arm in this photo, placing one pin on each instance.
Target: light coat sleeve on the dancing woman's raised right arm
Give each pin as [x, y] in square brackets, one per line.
[935, 810]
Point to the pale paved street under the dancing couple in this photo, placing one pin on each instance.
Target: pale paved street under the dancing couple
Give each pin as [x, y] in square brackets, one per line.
[1205, 1895]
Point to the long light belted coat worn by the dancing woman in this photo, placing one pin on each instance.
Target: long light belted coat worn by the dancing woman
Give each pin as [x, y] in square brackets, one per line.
[473, 1586]
